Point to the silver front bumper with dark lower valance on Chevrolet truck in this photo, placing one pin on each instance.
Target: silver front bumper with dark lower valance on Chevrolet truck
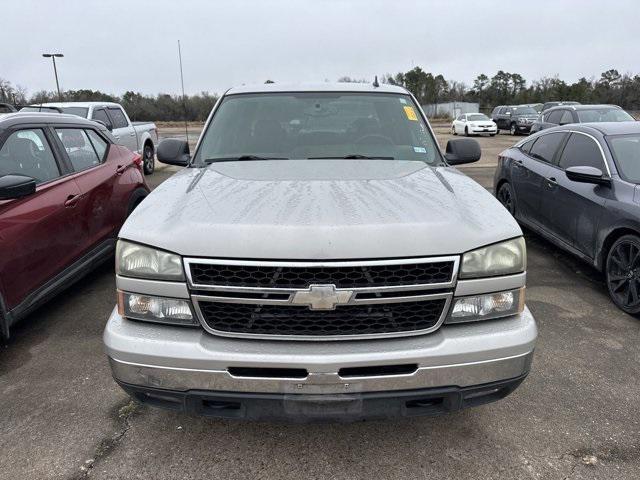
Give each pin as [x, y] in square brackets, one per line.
[189, 369]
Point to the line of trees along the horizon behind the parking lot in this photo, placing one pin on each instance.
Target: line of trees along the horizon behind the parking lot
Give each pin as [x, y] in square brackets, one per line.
[503, 88]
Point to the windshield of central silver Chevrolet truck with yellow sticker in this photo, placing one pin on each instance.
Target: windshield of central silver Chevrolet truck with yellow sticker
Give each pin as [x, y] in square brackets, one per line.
[312, 125]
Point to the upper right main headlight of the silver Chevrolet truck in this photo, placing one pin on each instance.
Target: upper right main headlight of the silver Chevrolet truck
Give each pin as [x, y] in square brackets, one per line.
[504, 258]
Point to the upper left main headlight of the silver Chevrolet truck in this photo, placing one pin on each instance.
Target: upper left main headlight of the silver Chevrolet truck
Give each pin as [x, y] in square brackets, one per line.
[139, 261]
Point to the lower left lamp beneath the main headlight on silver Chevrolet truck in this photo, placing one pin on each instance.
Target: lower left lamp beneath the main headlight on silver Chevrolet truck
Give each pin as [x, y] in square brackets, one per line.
[174, 311]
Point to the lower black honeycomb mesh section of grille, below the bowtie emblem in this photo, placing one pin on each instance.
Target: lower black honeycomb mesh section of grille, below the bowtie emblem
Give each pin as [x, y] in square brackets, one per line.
[345, 320]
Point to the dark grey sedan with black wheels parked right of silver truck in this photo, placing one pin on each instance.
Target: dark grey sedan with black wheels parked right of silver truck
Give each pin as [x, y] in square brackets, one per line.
[578, 187]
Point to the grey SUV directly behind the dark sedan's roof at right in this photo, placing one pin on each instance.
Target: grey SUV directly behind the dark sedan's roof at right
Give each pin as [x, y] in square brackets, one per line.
[580, 114]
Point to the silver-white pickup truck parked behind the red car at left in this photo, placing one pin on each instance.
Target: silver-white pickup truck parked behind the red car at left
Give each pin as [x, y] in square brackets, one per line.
[139, 137]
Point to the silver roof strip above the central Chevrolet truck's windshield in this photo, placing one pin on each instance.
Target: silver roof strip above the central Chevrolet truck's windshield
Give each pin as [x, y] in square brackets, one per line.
[316, 87]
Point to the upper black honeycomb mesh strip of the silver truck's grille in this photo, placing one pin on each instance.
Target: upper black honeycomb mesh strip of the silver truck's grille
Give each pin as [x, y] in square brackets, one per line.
[302, 277]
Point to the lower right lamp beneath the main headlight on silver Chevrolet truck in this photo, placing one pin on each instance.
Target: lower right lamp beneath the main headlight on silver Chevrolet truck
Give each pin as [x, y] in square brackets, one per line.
[486, 307]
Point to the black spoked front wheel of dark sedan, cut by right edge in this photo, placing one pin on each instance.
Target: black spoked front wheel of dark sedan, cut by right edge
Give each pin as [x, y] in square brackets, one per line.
[622, 272]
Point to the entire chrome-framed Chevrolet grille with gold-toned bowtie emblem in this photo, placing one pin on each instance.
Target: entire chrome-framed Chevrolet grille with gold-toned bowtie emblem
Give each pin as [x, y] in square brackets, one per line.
[324, 300]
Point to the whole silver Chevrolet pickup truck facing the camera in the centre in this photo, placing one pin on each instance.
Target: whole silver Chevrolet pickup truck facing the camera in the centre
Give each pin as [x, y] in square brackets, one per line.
[319, 259]
